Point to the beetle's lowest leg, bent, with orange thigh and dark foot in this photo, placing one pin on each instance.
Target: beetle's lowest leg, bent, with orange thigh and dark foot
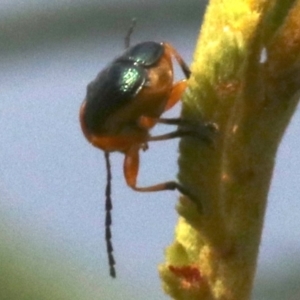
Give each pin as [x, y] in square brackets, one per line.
[131, 168]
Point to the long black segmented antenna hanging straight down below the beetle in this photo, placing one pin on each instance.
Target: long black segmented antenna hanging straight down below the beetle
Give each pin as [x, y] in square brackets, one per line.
[108, 220]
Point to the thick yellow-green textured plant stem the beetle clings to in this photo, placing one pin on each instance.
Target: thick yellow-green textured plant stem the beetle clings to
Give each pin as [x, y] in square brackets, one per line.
[246, 80]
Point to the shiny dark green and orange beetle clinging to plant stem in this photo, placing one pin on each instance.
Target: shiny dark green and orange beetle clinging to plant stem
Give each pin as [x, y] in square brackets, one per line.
[123, 103]
